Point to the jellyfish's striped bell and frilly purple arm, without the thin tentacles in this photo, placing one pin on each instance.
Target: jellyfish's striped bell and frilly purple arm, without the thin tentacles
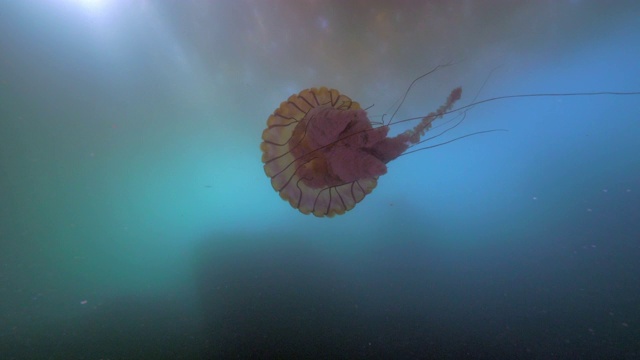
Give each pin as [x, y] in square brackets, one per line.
[324, 156]
